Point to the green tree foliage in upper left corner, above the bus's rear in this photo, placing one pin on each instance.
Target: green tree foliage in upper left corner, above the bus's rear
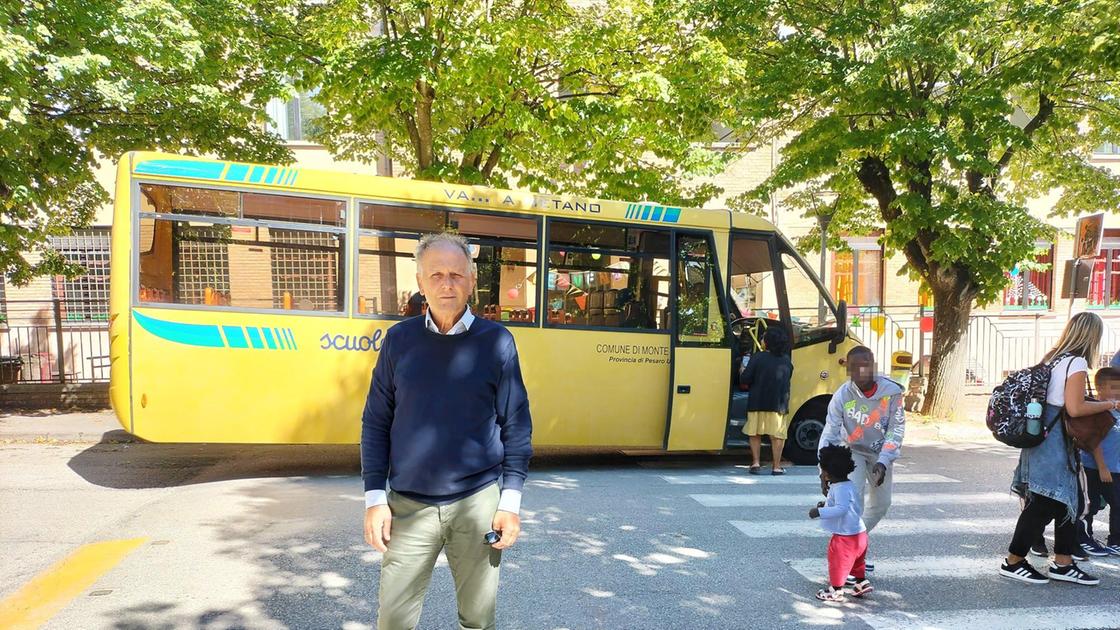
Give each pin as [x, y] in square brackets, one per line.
[85, 81]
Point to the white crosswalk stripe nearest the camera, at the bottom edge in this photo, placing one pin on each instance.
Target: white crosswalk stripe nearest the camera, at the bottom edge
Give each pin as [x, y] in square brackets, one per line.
[1050, 618]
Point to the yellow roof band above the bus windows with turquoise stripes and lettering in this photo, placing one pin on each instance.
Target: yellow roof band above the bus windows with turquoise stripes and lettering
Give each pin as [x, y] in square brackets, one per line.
[198, 170]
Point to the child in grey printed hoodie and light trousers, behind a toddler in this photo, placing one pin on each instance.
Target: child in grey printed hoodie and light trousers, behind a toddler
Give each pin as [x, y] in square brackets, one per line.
[867, 415]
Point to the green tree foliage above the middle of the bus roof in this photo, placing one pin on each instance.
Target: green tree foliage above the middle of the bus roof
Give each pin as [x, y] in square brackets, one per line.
[592, 98]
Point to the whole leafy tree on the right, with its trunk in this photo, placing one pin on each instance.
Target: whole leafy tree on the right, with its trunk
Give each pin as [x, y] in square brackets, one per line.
[937, 121]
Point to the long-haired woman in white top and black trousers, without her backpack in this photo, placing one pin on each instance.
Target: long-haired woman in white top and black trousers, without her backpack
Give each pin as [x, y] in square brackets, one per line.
[1049, 477]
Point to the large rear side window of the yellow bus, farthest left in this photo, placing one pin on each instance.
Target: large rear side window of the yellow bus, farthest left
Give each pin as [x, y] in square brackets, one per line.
[206, 252]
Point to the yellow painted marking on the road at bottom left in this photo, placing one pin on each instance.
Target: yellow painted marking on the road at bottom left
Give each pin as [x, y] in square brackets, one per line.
[49, 592]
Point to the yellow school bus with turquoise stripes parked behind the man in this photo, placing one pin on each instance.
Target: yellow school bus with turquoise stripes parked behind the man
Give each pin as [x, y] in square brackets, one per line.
[249, 303]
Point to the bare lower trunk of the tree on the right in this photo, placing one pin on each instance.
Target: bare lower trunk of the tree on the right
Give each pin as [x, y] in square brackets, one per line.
[953, 309]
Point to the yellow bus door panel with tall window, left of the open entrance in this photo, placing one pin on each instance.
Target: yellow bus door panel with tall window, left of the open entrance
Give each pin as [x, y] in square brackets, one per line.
[701, 349]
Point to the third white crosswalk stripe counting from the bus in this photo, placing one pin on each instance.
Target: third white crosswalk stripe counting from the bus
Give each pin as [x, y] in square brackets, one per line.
[889, 527]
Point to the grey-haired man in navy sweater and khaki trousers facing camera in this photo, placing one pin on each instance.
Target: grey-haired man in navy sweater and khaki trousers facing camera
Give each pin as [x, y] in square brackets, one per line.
[446, 419]
